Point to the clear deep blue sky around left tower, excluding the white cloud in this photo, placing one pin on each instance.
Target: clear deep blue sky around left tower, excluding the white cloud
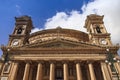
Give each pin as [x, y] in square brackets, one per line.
[39, 10]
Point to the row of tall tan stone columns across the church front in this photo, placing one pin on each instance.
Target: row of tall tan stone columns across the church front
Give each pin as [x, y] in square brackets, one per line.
[65, 67]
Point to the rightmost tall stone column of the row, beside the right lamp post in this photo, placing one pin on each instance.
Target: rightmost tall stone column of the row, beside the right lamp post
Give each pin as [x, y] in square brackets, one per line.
[106, 74]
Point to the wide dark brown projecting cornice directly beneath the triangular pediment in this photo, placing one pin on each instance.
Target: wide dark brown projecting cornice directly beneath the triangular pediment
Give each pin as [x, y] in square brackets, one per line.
[76, 50]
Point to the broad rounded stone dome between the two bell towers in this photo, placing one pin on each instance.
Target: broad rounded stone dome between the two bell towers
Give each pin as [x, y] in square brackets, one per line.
[58, 33]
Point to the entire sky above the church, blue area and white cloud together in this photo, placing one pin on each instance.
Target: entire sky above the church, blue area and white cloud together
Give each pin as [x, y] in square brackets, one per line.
[62, 12]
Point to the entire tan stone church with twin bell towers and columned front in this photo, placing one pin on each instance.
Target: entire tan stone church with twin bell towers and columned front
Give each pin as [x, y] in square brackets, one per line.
[60, 54]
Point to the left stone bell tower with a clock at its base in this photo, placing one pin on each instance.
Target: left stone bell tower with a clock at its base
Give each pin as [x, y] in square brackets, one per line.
[21, 32]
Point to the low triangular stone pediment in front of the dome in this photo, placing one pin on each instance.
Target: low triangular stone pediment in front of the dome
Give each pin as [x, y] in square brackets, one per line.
[59, 43]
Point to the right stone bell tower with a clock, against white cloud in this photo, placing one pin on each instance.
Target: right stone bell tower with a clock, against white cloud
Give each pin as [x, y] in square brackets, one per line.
[97, 31]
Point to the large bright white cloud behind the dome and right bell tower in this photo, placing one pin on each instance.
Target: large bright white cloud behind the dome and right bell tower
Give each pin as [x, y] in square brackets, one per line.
[75, 20]
